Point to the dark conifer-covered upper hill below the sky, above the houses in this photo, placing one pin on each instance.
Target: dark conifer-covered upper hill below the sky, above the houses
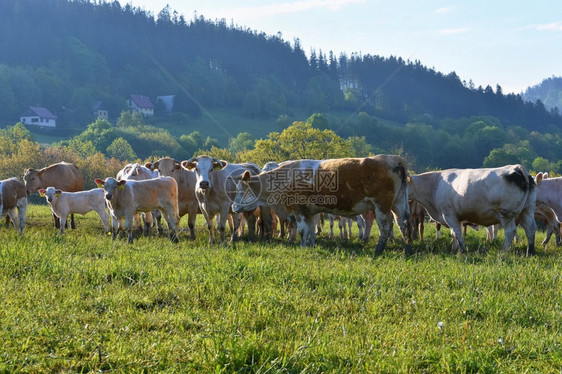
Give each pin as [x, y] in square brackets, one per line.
[68, 54]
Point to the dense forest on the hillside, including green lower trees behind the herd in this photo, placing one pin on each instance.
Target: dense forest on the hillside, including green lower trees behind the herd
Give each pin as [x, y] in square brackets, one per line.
[66, 55]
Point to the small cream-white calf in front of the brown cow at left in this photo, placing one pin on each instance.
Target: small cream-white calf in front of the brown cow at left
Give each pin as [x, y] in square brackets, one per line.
[64, 203]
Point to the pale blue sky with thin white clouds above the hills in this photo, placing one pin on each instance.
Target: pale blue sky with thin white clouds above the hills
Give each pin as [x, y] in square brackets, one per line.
[511, 43]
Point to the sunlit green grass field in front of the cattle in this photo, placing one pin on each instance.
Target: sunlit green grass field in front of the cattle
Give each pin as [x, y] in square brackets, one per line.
[84, 303]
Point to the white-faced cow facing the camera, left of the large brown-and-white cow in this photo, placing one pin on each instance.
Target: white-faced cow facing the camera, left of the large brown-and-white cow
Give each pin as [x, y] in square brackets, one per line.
[215, 189]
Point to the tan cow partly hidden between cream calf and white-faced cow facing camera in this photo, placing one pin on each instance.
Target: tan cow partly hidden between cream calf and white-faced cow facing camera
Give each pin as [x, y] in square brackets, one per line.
[186, 181]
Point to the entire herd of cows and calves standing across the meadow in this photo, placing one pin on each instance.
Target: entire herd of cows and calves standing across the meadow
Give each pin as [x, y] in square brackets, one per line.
[294, 194]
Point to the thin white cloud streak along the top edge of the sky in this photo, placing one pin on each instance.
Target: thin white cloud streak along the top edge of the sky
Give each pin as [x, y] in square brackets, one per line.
[287, 8]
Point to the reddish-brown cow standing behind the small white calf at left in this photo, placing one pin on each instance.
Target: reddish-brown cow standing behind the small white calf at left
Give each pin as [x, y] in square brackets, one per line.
[63, 175]
